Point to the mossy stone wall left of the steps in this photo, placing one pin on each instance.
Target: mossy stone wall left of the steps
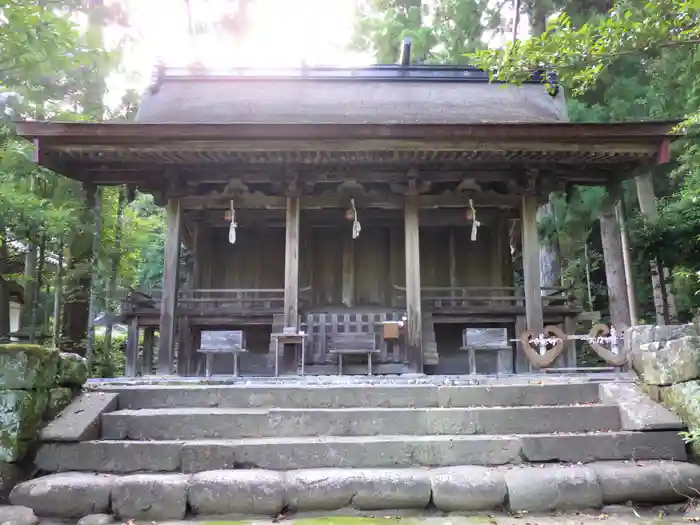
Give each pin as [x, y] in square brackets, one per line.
[36, 384]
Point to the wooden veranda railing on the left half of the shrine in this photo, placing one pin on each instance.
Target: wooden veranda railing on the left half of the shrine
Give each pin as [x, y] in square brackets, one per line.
[210, 301]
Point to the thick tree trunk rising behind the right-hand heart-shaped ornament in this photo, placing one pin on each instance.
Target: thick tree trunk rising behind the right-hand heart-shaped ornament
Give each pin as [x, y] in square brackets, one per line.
[614, 261]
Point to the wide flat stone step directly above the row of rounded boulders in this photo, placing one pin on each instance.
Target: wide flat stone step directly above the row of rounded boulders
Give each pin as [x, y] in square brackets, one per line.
[356, 452]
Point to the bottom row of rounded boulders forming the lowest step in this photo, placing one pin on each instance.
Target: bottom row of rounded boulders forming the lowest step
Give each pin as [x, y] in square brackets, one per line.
[254, 492]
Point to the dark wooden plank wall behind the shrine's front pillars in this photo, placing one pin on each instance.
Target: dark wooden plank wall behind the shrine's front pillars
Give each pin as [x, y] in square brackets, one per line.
[377, 261]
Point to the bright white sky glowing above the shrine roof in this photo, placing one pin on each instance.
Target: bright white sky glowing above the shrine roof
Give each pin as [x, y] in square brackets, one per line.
[282, 33]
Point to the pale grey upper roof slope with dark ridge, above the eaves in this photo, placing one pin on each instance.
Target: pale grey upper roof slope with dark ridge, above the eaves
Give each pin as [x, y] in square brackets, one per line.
[396, 96]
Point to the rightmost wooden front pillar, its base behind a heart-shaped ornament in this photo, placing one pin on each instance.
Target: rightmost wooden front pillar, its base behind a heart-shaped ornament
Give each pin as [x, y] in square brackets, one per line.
[534, 315]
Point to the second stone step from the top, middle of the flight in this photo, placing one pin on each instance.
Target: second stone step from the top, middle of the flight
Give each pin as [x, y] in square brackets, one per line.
[233, 423]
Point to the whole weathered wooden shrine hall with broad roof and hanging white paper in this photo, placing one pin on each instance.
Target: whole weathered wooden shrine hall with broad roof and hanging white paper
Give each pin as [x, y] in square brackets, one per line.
[374, 213]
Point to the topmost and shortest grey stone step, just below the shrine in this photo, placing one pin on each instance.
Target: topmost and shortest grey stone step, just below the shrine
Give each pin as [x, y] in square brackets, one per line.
[351, 395]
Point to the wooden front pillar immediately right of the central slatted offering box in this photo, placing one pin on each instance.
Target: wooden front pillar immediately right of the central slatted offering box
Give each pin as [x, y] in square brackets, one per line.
[414, 332]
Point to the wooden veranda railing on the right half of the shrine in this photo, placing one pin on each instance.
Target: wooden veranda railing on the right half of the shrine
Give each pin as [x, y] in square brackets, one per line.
[439, 297]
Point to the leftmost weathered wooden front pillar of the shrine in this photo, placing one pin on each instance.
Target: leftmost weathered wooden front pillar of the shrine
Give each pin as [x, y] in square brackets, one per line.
[171, 272]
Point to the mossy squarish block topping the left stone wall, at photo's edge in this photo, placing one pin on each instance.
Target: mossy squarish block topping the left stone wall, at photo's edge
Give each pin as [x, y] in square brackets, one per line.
[27, 367]
